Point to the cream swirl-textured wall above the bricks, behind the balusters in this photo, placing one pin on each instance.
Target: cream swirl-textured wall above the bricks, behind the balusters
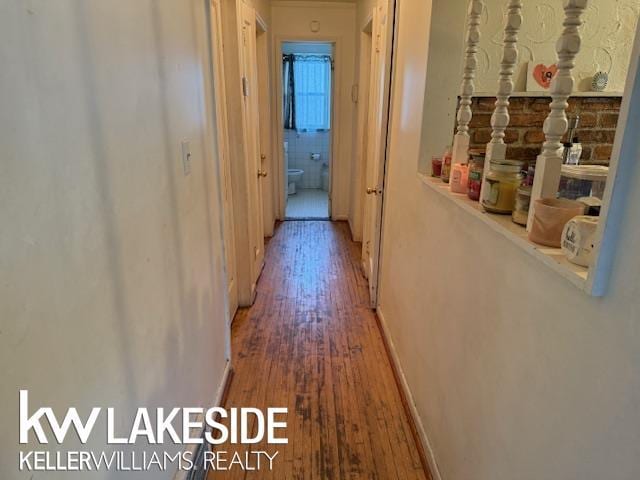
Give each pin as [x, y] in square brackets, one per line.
[607, 36]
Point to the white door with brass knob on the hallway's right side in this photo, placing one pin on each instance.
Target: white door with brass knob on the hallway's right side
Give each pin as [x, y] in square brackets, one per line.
[378, 119]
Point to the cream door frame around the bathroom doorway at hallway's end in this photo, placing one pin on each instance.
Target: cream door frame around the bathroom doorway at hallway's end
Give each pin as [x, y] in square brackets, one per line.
[278, 134]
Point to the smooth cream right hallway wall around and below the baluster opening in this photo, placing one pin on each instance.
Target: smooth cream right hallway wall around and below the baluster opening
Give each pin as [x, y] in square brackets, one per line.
[516, 374]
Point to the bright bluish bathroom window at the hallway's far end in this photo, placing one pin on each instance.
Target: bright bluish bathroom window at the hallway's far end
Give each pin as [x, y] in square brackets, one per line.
[312, 75]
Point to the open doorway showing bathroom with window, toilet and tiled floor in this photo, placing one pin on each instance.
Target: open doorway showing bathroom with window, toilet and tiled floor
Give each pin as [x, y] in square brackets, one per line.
[307, 86]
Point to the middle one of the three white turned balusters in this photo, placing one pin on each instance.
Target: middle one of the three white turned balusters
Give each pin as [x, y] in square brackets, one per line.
[496, 148]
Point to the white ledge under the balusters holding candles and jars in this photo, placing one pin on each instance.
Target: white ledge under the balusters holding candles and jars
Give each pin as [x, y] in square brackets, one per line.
[502, 224]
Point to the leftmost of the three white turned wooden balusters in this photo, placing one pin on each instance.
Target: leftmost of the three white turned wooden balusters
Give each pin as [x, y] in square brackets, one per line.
[461, 138]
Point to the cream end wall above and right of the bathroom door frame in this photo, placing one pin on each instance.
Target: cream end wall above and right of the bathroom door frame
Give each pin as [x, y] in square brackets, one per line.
[290, 21]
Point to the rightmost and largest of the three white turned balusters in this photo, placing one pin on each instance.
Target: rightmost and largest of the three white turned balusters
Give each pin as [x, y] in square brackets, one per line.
[549, 162]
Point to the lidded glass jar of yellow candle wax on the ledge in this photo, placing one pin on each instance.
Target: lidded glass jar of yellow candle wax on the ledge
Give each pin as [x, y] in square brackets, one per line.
[500, 186]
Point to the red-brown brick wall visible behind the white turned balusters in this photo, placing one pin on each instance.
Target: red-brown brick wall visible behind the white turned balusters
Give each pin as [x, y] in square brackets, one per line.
[524, 137]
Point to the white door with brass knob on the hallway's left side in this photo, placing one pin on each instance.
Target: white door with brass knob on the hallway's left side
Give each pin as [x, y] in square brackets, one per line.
[252, 137]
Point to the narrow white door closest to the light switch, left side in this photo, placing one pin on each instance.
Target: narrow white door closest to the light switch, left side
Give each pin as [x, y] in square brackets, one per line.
[223, 152]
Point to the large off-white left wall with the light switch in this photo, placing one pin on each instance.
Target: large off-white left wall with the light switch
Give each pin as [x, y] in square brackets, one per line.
[112, 260]
